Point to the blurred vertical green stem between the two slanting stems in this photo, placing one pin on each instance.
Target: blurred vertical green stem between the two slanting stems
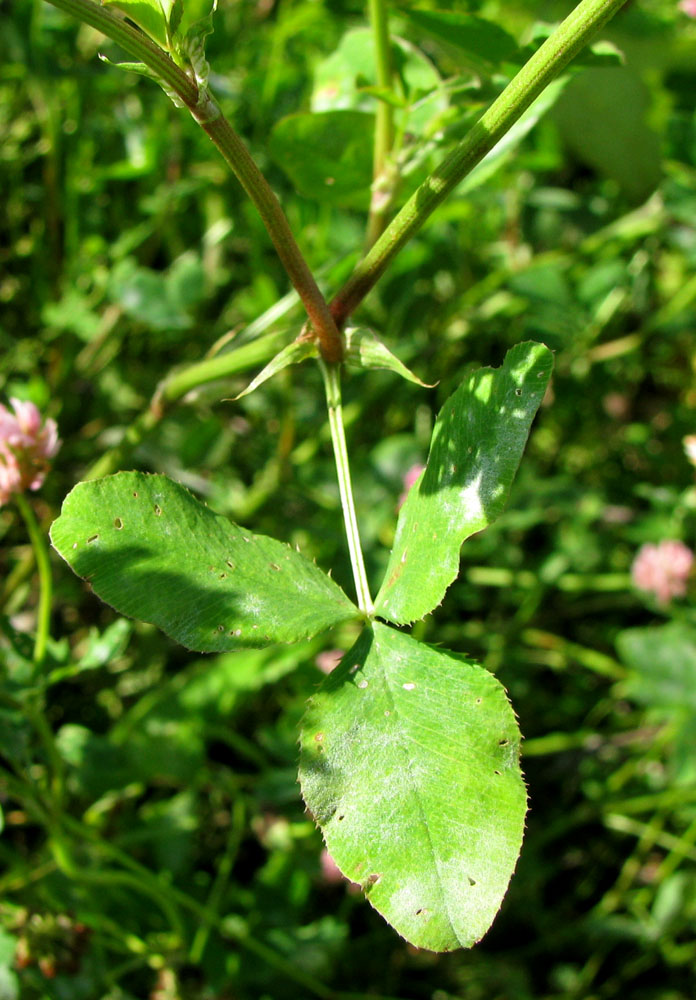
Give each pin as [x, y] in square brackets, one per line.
[384, 125]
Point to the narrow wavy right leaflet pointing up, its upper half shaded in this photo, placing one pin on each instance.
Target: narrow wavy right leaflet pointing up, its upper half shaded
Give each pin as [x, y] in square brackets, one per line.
[476, 447]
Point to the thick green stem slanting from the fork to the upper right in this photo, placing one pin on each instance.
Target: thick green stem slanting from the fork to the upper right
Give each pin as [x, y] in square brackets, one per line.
[553, 56]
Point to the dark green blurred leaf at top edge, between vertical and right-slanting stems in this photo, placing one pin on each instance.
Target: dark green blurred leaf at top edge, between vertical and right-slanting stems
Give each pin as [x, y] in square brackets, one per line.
[478, 38]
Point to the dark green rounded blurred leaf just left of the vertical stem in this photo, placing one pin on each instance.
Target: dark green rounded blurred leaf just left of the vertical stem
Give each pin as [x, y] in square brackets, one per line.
[326, 155]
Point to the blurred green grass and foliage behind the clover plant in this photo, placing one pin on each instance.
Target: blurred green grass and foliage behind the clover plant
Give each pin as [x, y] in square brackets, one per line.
[181, 863]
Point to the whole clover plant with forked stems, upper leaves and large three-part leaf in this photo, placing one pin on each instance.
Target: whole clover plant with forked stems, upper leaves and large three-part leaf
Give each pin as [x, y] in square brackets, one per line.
[409, 755]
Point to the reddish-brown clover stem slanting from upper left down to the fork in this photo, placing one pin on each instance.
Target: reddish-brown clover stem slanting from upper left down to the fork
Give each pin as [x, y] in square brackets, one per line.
[207, 113]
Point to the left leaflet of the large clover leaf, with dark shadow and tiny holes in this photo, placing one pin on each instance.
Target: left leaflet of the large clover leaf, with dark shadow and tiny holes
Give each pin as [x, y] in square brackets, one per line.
[152, 551]
